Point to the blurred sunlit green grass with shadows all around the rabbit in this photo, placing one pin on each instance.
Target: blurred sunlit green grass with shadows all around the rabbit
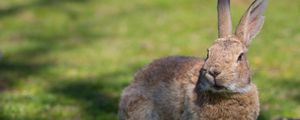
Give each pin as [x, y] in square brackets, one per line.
[70, 59]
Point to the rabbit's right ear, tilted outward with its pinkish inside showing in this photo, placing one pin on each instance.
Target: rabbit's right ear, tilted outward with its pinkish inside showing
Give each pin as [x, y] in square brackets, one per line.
[251, 22]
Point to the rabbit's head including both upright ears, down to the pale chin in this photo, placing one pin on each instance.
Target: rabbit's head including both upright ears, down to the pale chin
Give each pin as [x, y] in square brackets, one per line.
[226, 67]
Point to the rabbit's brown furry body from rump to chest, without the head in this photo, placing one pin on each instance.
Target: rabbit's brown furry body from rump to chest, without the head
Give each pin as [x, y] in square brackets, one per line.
[166, 90]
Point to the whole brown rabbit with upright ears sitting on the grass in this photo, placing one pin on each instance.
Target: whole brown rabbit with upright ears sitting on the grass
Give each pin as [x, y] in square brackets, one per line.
[190, 88]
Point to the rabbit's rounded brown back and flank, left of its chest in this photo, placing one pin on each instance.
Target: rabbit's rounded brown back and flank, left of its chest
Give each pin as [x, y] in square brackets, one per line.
[159, 89]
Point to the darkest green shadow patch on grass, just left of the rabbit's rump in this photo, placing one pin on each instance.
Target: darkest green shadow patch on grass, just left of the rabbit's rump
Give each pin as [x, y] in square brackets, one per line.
[89, 93]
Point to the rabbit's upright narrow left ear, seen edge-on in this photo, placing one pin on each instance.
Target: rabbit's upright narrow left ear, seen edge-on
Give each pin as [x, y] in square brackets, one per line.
[224, 18]
